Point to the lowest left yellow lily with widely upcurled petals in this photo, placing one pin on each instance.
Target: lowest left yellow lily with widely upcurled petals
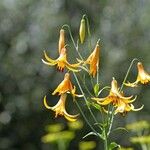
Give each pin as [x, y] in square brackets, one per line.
[60, 109]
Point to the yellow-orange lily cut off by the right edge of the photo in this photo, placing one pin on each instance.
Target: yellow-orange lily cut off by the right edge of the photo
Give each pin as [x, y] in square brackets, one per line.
[143, 77]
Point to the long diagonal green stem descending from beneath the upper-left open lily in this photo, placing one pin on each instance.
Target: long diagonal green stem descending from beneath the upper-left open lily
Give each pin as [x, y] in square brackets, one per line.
[85, 98]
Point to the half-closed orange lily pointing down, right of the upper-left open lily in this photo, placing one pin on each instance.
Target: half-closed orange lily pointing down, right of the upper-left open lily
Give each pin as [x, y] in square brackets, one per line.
[93, 60]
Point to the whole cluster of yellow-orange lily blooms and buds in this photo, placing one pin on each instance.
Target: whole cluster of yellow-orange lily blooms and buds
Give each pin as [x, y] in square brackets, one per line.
[116, 97]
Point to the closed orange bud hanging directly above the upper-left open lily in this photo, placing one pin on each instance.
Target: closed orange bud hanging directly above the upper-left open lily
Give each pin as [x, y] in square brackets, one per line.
[61, 40]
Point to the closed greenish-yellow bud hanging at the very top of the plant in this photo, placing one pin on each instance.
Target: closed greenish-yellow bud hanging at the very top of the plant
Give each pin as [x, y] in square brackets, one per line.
[82, 30]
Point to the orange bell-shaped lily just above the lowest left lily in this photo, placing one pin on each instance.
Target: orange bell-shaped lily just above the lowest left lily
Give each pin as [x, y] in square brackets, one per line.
[66, 86]
